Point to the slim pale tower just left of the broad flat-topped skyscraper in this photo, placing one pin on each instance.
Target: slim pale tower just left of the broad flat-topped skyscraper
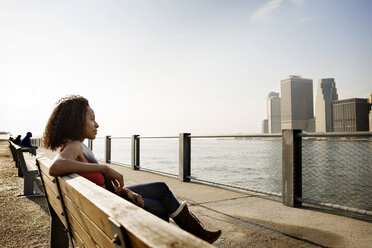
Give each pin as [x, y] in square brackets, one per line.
[273, 113]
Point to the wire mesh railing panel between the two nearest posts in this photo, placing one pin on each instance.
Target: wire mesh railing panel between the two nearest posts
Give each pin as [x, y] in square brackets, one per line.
[246, 162]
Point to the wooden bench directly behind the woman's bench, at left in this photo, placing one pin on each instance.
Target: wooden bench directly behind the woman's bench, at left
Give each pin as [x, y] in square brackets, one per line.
[26, 164]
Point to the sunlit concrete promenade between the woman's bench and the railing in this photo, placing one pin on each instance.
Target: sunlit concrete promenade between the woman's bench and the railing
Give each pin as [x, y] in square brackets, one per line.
[252, 221]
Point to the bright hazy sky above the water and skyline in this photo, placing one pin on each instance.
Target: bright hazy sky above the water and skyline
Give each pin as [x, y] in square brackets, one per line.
[164, 67]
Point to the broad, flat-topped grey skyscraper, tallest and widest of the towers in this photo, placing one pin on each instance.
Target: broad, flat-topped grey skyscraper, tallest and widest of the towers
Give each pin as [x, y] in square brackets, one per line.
[296, 102]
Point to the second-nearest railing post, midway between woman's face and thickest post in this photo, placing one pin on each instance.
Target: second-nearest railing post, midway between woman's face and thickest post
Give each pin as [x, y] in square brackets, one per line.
[185, 157]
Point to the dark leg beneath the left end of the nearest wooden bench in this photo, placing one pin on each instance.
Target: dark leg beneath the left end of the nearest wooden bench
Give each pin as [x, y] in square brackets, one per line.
[58, 235]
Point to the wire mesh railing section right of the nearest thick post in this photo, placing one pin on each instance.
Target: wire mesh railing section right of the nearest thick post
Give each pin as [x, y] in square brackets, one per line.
[336, 170]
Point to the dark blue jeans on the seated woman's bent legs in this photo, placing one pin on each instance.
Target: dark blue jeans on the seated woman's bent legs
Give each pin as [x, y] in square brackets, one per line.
[158, 199]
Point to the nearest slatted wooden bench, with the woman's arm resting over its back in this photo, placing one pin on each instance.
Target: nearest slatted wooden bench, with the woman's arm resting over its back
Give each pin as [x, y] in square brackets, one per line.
[94, 217]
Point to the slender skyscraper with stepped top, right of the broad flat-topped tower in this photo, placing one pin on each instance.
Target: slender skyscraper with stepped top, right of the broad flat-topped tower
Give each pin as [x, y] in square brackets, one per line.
[327, 93]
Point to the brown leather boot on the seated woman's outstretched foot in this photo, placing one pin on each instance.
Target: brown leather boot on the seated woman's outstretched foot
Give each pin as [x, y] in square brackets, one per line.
[188, 222]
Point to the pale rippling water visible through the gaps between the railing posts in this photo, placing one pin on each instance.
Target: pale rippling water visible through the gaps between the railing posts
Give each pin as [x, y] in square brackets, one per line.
[334, 170]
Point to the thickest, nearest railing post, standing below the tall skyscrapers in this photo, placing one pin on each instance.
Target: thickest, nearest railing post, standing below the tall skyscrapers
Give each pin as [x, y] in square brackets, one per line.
[291, 167]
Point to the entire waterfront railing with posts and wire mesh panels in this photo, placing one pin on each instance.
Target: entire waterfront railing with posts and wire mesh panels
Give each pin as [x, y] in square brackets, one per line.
[330, 170]
